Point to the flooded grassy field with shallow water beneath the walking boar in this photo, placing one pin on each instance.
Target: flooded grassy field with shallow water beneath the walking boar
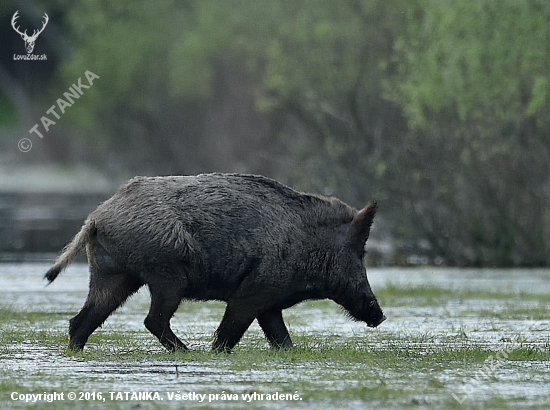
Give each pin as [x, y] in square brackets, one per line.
[454, 338]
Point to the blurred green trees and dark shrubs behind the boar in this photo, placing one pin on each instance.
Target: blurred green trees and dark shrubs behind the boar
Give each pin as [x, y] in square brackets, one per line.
[437, 108]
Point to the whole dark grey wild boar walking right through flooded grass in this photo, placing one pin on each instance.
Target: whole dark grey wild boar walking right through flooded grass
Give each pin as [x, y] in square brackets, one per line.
[247, 240]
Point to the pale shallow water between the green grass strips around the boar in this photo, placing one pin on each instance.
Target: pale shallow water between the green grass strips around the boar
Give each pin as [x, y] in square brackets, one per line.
[31, 366]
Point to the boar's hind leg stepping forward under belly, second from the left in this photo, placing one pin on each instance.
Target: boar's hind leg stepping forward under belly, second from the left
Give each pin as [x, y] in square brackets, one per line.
[164, 303]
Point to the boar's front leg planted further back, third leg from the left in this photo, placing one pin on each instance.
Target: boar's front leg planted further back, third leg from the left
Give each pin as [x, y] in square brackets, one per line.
[237, 318]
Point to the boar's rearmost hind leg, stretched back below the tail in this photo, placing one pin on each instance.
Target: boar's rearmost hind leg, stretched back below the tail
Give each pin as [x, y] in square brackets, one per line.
[107, 293]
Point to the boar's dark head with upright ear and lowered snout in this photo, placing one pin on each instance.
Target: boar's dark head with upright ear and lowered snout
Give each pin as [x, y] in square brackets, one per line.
[354, 291]
